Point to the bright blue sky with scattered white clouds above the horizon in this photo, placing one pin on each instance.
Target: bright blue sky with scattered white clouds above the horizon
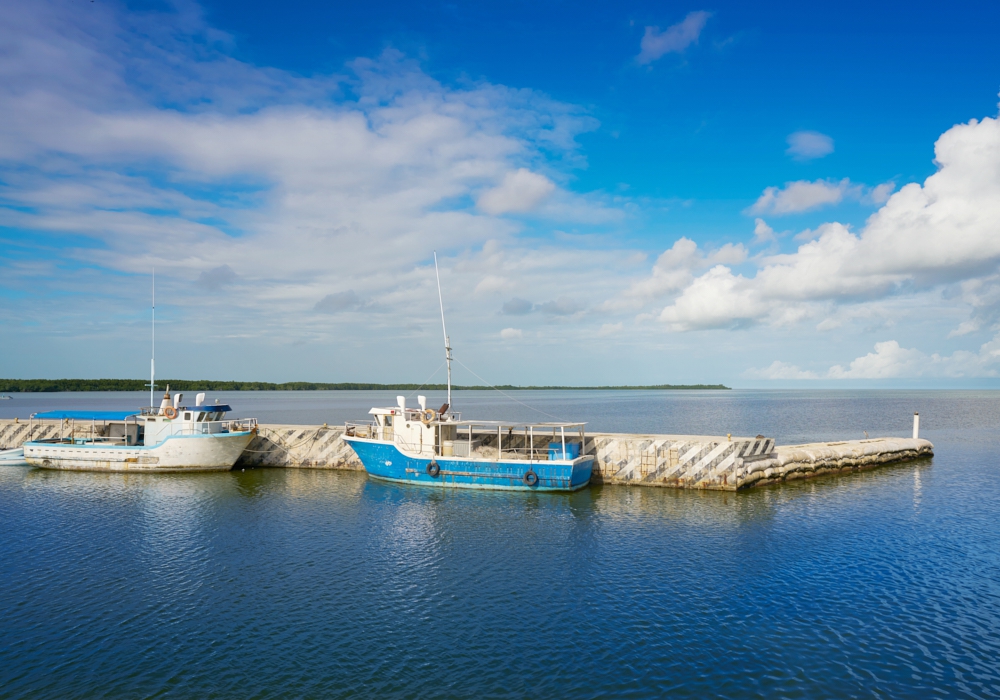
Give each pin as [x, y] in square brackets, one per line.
[780, 195]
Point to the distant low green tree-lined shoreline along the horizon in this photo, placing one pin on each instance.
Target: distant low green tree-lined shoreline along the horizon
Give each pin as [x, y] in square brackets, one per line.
[52, 385]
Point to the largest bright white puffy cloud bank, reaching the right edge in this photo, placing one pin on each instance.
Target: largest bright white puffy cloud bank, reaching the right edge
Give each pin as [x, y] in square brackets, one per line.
[945, 230]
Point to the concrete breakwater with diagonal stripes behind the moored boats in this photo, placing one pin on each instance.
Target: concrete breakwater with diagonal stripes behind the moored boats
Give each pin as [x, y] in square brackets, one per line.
[725, 462]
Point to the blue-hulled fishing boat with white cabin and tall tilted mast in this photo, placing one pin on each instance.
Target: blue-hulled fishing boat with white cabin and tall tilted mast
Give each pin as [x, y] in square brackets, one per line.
[439, 448]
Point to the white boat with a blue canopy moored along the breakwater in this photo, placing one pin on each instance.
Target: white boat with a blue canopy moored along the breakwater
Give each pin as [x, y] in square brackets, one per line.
[170, 438]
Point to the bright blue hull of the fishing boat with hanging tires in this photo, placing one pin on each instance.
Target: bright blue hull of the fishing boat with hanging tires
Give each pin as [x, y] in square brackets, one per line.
[383, 460]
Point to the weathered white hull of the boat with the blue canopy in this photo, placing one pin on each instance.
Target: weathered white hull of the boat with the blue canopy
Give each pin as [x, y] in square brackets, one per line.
[178, 453]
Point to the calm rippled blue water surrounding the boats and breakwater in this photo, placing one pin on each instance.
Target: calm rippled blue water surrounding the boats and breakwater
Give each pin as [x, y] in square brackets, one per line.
[298, 583]
